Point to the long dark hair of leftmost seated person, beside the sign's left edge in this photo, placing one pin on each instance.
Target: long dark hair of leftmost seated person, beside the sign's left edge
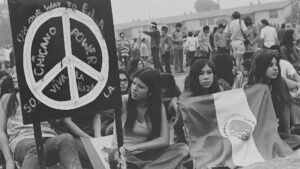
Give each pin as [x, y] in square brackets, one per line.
[7, 87]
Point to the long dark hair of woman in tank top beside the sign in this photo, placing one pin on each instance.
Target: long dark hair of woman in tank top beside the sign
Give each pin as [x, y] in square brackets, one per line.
[151, 78]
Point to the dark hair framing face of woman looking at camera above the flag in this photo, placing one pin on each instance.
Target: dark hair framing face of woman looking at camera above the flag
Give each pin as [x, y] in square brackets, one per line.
[194, 83]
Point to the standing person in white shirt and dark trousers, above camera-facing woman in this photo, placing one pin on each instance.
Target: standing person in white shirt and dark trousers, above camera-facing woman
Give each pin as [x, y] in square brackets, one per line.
[191, 45]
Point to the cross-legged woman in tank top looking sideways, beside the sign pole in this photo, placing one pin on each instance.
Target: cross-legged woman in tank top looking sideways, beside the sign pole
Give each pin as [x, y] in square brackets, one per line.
[145, 127]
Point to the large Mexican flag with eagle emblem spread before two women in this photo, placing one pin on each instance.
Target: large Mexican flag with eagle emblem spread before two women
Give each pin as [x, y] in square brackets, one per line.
[233, 128]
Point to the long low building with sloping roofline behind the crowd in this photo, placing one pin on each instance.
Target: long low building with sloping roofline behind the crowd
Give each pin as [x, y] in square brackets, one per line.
[275, 12]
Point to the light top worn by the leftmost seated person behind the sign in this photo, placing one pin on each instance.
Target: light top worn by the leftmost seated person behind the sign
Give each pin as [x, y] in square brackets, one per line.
[16, 130]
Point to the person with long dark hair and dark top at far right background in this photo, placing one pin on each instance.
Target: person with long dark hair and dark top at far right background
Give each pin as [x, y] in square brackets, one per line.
[287, 48]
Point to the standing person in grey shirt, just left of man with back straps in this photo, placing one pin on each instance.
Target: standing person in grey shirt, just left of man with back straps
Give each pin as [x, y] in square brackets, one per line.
[220, 40]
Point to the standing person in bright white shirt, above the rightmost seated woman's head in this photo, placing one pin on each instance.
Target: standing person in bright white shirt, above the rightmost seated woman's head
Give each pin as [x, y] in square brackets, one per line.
[268, 35]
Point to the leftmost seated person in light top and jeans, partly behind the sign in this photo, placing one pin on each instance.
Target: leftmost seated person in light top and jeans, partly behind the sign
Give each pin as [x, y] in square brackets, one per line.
[19, 139]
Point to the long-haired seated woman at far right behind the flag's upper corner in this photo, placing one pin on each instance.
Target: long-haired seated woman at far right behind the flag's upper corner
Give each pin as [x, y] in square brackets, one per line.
[265, 69]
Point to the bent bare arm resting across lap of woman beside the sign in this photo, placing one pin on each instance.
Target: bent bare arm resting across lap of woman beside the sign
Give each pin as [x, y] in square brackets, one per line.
[162, 141]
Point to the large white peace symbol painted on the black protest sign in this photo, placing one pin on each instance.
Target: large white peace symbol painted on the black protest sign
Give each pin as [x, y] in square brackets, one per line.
[62, 77]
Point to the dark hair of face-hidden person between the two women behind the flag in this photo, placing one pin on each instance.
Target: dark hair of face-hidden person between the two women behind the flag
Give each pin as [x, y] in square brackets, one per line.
[223, 67]
